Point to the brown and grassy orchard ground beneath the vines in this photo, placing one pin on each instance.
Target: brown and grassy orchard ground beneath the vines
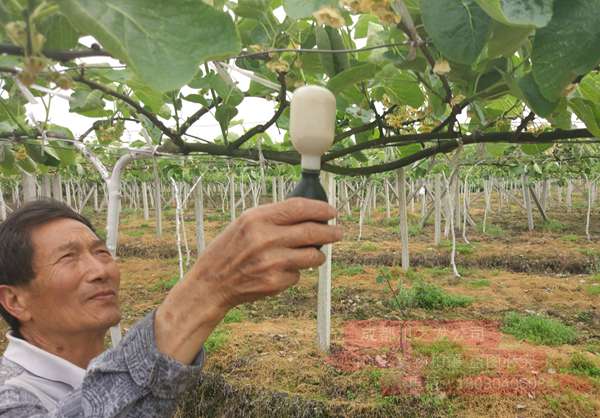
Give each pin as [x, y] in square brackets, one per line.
[383, 359]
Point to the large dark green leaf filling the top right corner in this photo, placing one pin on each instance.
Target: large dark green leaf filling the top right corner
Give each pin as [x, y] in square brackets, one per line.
[569, 46]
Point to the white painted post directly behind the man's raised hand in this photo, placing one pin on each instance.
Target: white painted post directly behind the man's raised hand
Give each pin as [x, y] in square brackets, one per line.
[324, 293]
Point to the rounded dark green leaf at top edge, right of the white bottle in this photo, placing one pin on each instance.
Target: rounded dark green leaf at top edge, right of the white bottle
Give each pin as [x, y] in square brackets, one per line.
[459, 28]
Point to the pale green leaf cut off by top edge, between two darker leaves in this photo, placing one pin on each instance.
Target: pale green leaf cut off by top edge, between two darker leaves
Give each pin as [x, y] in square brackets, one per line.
[519, 12]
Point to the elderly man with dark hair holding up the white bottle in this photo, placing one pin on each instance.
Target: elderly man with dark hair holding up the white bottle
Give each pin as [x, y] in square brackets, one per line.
[59, 294]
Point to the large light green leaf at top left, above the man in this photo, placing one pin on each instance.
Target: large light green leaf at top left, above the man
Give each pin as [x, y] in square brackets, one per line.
[162, 42]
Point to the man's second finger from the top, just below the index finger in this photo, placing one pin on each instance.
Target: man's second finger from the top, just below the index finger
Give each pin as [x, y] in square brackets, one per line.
[310, 234]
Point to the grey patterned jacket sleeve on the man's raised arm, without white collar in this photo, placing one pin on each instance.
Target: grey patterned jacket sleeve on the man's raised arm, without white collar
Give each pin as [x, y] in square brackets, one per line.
[131, 380]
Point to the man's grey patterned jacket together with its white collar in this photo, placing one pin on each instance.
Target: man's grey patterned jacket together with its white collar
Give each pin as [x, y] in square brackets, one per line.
[131, 380]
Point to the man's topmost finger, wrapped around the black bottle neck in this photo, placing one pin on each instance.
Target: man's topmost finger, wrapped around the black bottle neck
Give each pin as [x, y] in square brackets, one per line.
[298, 209]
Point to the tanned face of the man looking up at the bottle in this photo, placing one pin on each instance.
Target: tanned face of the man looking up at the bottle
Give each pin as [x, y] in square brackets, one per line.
[76, 282]
